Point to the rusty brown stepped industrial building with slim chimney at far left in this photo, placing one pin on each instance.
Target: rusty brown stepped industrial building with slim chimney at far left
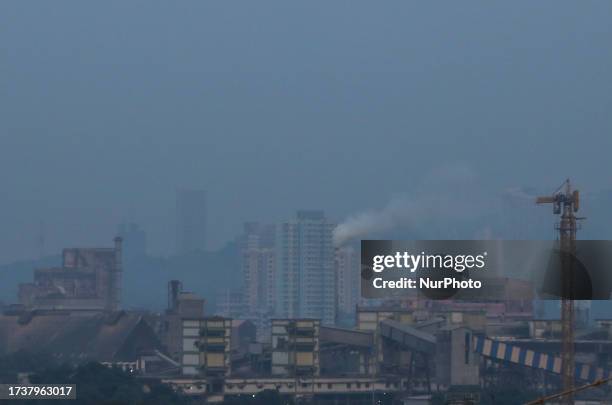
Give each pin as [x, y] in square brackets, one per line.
[89, 279]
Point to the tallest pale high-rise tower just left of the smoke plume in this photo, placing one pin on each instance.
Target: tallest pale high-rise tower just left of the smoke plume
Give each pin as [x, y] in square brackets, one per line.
[305, 281]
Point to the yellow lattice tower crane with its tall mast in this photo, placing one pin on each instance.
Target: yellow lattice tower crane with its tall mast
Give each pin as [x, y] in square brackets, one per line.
[566, 203]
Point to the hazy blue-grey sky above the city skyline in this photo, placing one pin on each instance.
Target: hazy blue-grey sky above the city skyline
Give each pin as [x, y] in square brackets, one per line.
[107, 107]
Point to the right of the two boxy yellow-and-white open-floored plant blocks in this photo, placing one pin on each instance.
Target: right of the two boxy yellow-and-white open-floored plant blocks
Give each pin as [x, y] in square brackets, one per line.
[295, 347]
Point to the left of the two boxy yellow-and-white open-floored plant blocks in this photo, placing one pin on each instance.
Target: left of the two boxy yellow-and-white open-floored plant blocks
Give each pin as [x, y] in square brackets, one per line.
[206, 347]
